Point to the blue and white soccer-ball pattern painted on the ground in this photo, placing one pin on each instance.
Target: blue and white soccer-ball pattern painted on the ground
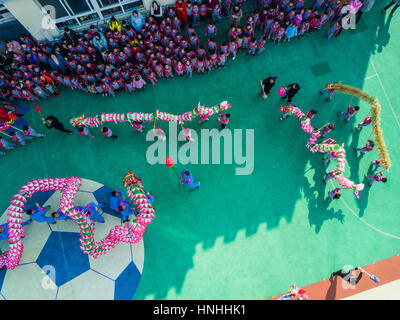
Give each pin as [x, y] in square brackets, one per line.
[54, 267]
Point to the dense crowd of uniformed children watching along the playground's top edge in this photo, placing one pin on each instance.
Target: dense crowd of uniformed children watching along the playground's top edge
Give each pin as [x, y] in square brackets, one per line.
[126, 57]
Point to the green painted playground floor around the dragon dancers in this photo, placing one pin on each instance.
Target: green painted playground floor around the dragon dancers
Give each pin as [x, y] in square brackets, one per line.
[246, 237]
